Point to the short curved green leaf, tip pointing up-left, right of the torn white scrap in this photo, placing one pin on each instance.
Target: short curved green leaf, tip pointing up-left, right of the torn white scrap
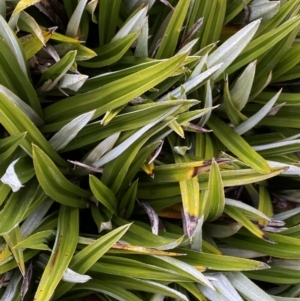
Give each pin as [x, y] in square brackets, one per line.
[55, 184]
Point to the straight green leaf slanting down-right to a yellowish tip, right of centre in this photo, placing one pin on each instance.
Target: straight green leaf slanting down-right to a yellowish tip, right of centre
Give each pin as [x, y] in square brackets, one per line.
[237, 145]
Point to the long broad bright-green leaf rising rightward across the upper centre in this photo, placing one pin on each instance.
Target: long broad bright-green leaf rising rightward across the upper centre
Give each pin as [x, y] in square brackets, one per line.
[113, 94]
